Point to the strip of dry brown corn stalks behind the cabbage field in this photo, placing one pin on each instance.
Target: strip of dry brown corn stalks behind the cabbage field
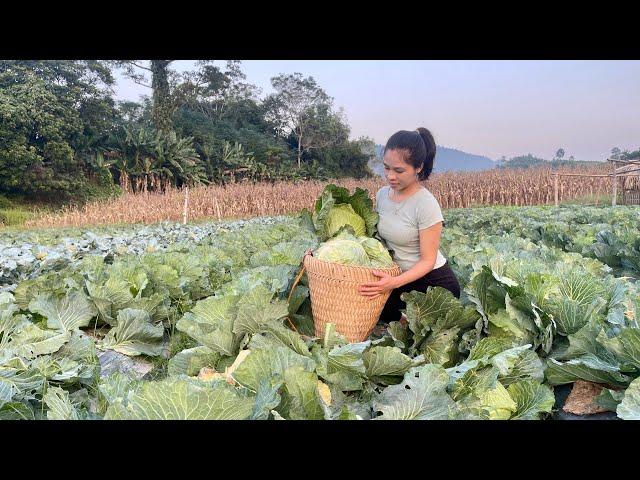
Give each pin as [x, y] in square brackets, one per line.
[245, 199]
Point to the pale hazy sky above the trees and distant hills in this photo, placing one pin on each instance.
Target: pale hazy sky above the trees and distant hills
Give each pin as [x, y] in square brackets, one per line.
[493, 108]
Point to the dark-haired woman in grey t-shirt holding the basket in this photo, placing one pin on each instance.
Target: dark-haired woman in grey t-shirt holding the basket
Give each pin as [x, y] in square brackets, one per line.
[410, 223]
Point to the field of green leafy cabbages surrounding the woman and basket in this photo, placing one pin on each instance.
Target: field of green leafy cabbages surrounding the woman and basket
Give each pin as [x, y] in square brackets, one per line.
[549, 297]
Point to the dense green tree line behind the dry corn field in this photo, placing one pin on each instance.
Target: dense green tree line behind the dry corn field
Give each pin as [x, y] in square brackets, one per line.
[64, 135]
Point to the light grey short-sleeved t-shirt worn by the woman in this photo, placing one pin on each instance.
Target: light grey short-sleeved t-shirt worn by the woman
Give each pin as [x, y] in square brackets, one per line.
[400, 230]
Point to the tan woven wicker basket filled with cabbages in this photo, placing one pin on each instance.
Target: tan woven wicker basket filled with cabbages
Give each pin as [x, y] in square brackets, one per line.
[335, 297]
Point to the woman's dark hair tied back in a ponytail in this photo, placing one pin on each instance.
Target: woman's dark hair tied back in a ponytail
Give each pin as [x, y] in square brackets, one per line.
[419, 149]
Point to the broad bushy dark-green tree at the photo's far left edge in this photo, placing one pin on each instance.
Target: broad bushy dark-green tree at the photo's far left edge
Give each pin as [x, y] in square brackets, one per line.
[54, 114]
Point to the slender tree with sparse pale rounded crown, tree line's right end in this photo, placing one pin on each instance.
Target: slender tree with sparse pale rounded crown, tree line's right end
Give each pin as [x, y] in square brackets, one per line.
[293, 105]
